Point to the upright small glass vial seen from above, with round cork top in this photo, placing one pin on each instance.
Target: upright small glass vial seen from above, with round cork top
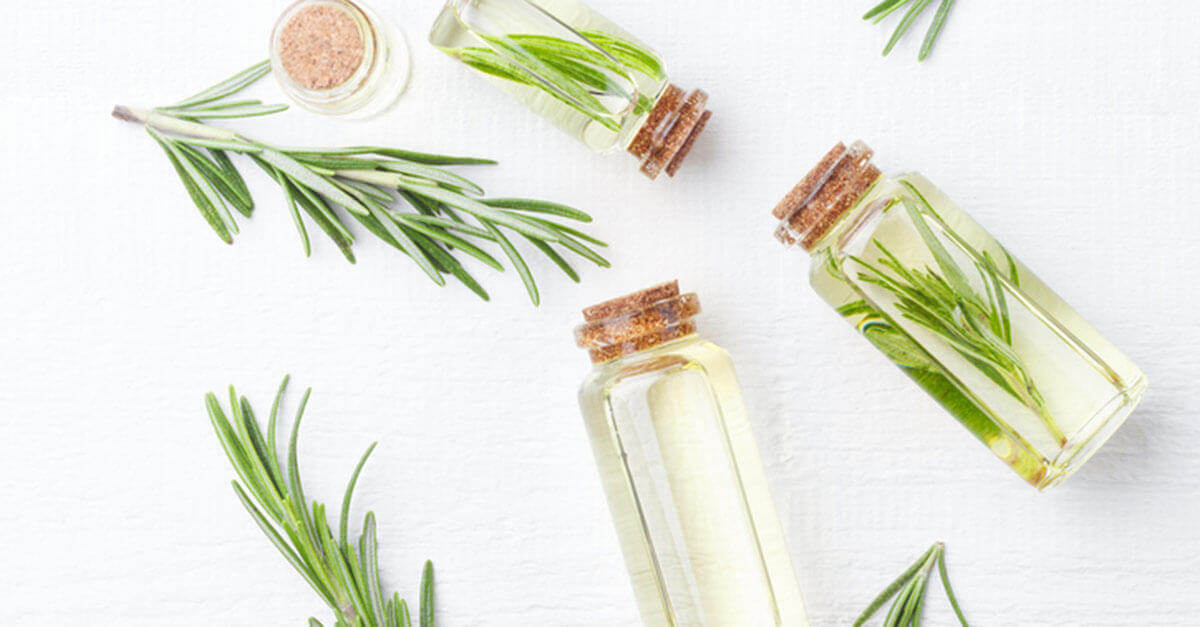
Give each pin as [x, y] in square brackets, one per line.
[339, 58]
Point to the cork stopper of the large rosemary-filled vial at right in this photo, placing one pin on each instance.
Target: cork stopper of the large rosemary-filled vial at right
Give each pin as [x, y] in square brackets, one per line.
[824, 196]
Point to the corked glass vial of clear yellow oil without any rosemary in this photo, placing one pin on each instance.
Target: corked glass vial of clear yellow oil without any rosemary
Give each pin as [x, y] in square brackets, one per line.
[681, 469]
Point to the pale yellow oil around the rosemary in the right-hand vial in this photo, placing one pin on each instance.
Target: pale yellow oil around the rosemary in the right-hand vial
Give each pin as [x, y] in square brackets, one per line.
[1088, 385]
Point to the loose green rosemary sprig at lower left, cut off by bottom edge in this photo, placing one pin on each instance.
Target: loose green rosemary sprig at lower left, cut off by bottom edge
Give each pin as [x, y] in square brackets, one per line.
[345, 575]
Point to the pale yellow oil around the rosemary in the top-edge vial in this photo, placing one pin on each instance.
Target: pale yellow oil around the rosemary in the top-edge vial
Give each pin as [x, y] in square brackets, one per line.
[467, 25]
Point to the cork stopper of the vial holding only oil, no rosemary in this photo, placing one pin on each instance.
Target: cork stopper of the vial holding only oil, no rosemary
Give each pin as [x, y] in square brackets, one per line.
[637, 323]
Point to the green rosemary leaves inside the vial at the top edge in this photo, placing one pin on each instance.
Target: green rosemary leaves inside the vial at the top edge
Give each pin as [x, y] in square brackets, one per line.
[577, 75]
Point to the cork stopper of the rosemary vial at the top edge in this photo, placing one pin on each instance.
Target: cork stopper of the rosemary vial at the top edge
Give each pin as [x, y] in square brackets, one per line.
[671, 129]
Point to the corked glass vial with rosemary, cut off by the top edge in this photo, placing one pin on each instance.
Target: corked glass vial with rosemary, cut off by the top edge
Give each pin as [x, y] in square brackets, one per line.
[580, 71]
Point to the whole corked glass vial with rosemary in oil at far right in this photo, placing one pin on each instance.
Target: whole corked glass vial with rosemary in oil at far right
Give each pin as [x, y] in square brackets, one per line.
[964, 319]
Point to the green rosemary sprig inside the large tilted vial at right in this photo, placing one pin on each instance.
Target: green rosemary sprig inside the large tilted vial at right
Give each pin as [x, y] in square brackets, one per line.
[976, 326]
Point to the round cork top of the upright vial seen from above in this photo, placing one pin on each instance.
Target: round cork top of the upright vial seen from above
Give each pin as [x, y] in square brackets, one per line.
[321, 46]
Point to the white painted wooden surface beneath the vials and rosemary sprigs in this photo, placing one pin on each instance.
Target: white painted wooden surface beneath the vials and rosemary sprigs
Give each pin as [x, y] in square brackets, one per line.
[1070, 130]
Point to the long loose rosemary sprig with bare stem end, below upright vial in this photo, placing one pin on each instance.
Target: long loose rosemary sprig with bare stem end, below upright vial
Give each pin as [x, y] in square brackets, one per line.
[365, 183]
